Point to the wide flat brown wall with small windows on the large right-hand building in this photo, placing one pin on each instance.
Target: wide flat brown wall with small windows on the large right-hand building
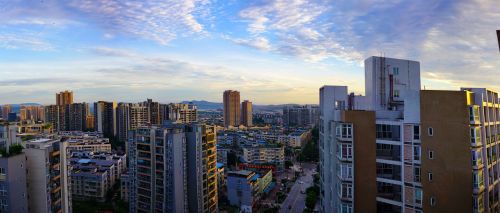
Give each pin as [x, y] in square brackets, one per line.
[447, 113]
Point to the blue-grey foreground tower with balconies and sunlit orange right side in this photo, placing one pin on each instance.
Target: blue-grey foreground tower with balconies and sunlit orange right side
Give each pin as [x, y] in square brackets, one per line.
[160, 169]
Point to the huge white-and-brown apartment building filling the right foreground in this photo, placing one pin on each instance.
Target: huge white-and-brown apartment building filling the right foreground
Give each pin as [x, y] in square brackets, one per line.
[432, 151]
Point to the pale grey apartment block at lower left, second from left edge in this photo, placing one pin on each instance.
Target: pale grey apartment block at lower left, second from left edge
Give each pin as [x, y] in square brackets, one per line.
[48, 176]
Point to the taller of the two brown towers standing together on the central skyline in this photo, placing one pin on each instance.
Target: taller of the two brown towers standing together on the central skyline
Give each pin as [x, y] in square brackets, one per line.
[232, 112]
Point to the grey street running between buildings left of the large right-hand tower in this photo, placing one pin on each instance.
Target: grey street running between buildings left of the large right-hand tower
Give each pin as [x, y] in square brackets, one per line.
[295, 201]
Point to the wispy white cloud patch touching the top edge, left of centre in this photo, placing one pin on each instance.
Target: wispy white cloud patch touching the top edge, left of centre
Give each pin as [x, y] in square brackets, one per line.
[157, 20]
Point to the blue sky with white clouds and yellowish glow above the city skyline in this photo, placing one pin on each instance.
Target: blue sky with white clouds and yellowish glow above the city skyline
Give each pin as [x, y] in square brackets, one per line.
[272, 51]
